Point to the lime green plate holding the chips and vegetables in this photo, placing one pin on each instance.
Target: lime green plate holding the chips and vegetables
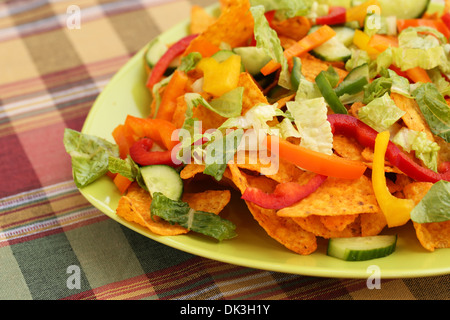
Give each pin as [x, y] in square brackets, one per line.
[126, 94]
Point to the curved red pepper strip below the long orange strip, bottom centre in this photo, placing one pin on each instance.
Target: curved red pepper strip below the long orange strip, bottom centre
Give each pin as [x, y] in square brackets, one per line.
[284, 195]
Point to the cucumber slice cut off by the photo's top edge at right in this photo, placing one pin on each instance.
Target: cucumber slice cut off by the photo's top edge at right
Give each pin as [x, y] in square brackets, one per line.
[404, 9]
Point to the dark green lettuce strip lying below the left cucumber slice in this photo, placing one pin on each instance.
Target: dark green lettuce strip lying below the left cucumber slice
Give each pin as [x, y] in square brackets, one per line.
[202, 222]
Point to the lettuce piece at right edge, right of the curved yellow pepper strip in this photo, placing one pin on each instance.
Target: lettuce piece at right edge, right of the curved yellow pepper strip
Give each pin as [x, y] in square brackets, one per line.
[434, 205]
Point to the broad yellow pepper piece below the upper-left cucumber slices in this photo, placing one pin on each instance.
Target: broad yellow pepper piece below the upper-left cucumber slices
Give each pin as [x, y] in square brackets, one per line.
[220, 77]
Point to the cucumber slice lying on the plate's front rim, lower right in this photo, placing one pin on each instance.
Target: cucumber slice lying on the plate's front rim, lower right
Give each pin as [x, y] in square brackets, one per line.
[362, 248]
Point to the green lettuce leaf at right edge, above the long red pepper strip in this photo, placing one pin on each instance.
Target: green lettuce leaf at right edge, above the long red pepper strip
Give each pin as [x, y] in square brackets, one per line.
[434, 109]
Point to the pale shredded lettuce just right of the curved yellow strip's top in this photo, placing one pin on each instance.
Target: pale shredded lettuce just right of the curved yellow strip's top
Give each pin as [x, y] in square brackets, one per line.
[416, 141]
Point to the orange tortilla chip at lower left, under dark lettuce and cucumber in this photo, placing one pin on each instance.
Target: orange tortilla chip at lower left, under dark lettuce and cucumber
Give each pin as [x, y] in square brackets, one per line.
[135, 207]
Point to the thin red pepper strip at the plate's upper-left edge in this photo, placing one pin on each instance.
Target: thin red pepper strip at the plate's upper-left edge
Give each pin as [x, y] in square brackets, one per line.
[161, 66]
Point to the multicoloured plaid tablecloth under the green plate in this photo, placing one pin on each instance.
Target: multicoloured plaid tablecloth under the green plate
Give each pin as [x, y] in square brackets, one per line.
[50, 74]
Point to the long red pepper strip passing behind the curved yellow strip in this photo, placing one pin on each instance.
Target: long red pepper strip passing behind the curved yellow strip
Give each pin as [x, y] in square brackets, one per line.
[365, 135]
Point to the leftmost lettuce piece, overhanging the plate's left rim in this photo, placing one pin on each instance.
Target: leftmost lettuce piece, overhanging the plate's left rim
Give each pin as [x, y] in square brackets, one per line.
[89, 155]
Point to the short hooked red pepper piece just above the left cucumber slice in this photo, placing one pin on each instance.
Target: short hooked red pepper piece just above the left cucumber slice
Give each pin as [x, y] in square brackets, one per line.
[141, 154]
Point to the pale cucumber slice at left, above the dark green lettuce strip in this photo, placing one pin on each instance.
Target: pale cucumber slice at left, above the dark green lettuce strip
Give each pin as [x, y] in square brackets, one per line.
[164, 179]
